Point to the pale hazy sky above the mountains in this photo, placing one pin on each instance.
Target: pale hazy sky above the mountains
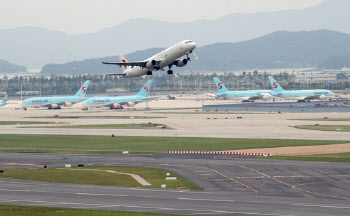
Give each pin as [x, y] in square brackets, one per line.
[86, 16]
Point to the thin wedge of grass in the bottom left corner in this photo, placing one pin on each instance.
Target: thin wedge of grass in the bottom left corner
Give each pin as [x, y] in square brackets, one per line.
[7, 210]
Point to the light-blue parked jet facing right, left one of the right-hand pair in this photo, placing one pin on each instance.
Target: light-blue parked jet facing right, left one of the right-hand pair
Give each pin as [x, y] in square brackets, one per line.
[245, 95]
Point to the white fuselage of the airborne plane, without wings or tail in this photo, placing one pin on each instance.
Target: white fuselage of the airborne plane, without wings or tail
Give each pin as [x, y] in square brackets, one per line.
[166, 57]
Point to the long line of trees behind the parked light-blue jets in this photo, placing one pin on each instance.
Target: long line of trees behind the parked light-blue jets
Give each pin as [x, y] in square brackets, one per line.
[67, 85]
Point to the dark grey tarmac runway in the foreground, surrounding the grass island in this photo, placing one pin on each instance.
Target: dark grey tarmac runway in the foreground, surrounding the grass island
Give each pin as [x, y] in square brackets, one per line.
[232, 186]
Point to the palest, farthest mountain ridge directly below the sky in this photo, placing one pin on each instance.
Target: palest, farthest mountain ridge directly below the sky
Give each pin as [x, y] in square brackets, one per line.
[35, 47]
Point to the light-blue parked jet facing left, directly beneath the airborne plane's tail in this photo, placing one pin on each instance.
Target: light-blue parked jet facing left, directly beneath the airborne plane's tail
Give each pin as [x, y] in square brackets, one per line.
[119, 102]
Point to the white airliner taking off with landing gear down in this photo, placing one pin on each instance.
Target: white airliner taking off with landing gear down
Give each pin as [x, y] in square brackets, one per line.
[166, 58]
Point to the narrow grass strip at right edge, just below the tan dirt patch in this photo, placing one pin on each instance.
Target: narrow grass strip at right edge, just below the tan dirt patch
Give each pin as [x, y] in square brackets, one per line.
[339, 157]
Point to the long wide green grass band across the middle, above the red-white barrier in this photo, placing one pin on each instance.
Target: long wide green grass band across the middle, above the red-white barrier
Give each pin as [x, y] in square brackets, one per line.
[113, 145]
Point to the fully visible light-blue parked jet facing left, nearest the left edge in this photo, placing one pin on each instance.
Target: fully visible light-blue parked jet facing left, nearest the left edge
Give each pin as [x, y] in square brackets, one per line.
[57, 102]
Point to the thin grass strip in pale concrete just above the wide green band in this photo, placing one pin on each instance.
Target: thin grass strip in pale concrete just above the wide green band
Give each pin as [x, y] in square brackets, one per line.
[108, 126]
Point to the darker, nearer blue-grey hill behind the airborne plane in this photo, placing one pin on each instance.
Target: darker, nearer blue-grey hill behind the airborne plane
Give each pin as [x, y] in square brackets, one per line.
[320, 48]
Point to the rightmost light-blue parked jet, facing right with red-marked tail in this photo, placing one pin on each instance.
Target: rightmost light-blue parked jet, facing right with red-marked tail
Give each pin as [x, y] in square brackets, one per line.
[299, 94]
